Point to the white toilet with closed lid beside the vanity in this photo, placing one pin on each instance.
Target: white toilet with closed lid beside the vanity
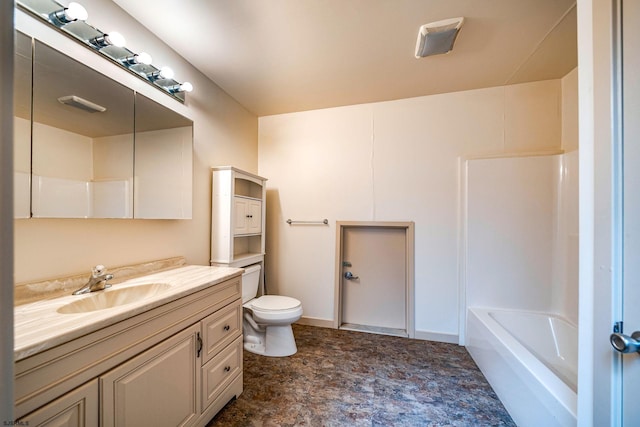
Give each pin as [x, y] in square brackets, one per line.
[267, 320]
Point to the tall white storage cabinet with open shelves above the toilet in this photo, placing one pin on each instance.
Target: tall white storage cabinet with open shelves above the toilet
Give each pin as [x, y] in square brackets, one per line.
[237, 217]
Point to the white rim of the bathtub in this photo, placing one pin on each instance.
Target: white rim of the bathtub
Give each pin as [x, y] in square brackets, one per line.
[560, 391]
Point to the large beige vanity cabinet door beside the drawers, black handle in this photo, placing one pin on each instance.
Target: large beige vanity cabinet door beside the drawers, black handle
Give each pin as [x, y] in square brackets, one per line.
[160, 387]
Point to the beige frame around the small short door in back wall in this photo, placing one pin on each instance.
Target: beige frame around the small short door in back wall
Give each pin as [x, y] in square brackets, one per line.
[409, 232]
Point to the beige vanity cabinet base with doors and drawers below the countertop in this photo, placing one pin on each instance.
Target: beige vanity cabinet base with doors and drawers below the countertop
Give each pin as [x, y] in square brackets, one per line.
[177, 364]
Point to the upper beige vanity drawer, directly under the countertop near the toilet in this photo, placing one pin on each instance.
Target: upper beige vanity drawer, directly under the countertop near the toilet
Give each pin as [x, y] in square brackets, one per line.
[220, 328]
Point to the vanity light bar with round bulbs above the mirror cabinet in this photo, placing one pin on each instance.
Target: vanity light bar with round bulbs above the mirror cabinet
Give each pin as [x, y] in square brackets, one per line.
[70, 20]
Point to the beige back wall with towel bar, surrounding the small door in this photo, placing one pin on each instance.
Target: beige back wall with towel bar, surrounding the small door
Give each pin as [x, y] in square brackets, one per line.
[390, 161]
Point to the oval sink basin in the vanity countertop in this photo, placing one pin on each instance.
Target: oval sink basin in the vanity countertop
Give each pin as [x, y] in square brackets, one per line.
[113, 297]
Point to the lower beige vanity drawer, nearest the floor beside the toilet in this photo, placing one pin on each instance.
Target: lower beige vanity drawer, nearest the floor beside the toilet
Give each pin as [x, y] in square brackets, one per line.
[220, 371]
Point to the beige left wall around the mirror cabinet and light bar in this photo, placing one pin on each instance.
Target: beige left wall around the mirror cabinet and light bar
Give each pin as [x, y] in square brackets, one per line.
[224, 133]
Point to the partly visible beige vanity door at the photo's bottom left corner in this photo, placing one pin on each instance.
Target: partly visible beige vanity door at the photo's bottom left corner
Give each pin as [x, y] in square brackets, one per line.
[78, 408]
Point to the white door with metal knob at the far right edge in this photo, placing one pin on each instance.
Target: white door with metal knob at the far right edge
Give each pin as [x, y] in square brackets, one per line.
[631, 212]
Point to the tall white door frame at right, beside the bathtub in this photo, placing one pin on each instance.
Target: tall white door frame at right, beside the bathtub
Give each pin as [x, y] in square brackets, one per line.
[596, 121]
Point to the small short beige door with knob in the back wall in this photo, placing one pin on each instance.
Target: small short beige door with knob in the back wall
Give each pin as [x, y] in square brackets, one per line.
[374, 279]
